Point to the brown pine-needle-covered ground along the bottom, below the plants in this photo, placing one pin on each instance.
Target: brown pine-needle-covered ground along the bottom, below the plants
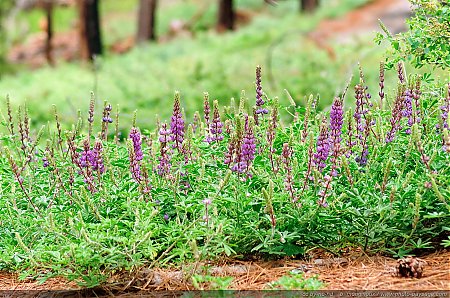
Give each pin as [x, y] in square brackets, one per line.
[351, 273]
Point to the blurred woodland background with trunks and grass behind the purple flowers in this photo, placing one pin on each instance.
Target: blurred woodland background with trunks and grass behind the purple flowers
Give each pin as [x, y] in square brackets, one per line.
[136, 53]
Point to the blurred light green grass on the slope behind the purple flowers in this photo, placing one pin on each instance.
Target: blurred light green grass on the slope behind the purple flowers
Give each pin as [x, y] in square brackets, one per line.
[146, 78]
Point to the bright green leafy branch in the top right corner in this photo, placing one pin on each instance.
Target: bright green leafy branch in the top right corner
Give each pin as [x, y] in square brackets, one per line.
[428, 39]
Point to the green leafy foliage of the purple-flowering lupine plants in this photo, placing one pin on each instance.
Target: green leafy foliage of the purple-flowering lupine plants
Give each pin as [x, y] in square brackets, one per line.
[53, 223]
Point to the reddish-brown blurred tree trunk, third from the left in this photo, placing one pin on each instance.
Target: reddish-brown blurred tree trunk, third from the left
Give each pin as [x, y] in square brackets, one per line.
[146, 20]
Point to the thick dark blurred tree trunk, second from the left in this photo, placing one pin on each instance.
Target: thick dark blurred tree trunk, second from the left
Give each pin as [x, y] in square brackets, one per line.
[89, 26]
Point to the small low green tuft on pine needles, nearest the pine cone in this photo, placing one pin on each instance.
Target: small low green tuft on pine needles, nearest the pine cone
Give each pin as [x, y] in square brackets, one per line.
[296, 281]
